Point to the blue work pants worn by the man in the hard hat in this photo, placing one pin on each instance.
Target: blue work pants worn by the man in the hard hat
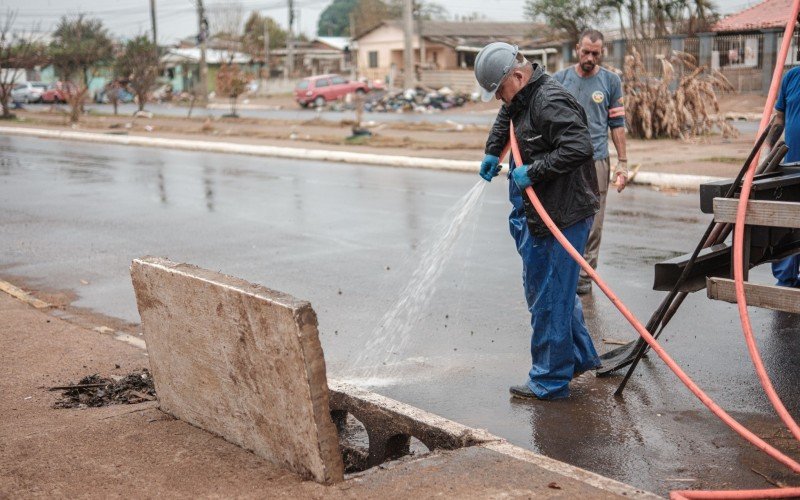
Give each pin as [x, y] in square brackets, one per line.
[560, 342]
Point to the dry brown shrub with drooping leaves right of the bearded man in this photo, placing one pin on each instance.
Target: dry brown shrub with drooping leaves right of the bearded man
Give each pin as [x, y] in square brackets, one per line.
[652, 110]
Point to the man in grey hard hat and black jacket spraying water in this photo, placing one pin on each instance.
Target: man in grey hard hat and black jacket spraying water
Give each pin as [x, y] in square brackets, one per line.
[556, 149]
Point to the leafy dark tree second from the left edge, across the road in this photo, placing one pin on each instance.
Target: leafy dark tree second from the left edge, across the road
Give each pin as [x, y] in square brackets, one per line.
[79, 45]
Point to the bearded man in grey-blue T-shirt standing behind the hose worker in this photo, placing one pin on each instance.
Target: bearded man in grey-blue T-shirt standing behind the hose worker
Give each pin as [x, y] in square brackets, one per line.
[599, 91]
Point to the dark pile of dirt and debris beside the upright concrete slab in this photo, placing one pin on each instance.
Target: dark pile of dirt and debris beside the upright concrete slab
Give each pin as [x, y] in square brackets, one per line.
[95, 391]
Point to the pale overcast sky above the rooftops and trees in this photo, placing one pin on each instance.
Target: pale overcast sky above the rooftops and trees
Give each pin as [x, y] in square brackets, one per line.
[177, 18]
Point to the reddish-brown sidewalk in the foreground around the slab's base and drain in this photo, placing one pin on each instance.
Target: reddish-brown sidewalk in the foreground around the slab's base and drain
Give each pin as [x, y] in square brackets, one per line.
[137, 451]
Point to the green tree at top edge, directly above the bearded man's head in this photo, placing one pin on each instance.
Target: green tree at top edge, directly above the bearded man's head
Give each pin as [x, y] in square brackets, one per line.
[572, 16]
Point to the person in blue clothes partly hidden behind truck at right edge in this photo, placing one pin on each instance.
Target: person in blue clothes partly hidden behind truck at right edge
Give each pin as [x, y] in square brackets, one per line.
[787, 114]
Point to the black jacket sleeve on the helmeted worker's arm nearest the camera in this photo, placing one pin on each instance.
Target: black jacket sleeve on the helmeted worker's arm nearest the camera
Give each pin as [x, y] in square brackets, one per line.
[562, 123]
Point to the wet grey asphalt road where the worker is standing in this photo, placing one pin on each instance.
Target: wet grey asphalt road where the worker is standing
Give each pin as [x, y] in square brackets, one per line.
[346, 237]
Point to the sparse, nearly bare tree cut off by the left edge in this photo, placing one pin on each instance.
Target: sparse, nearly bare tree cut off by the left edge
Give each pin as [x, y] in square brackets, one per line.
[18, 52]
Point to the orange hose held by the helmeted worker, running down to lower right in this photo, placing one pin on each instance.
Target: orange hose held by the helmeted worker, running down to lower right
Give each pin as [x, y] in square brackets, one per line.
[688, 382]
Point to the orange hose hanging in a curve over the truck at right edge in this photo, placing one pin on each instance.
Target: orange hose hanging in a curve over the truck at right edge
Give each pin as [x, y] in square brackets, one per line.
[738, 241]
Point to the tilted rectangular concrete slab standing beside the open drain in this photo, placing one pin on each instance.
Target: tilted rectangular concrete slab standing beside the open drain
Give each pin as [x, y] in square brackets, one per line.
[240, 361]
